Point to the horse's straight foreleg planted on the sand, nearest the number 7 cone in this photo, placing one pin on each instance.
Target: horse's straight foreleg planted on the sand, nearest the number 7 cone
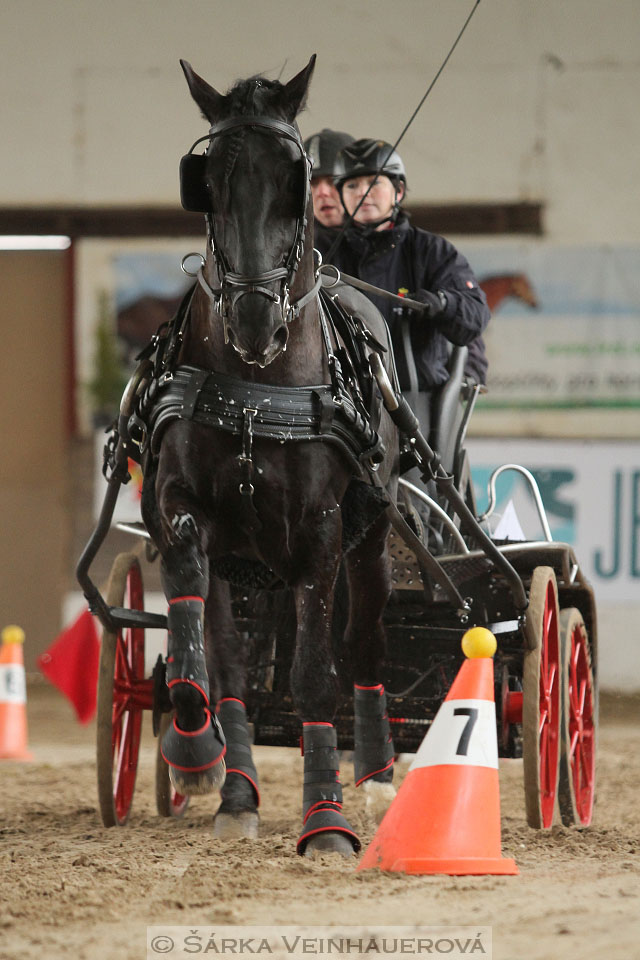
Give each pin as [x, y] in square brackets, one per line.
[315, 692]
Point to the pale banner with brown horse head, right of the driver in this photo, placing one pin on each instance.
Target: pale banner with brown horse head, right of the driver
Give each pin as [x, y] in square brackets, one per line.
[565, 328]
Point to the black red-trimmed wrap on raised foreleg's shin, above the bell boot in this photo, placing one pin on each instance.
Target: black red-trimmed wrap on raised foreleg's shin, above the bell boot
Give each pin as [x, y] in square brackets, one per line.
[186, 661]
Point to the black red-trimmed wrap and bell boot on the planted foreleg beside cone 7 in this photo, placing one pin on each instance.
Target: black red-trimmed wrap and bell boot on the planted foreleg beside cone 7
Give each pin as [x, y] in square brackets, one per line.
[322, 796]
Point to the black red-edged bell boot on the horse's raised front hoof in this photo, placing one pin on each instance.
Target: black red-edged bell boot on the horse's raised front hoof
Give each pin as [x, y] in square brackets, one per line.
[196, 758]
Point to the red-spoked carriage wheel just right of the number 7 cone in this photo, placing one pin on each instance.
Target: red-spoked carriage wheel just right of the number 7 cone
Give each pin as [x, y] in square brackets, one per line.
[541, 704]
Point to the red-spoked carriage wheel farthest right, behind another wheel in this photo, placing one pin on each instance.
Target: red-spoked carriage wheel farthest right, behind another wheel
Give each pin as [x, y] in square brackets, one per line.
[576, 784]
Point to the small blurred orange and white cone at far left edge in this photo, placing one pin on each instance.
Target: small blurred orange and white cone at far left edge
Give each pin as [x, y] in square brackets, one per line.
[13, 697]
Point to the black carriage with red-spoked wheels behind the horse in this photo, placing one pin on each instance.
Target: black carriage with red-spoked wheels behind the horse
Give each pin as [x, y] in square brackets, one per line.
[545, 664]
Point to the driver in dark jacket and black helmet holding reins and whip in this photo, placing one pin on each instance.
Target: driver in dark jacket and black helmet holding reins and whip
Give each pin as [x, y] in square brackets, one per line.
[381, 247]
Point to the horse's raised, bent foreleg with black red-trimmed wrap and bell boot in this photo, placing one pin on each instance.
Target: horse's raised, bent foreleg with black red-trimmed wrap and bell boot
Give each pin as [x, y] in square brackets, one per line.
[193, 746]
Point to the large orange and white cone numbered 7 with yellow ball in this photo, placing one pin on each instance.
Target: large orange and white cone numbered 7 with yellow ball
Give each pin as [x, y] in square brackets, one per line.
[446, 815]
